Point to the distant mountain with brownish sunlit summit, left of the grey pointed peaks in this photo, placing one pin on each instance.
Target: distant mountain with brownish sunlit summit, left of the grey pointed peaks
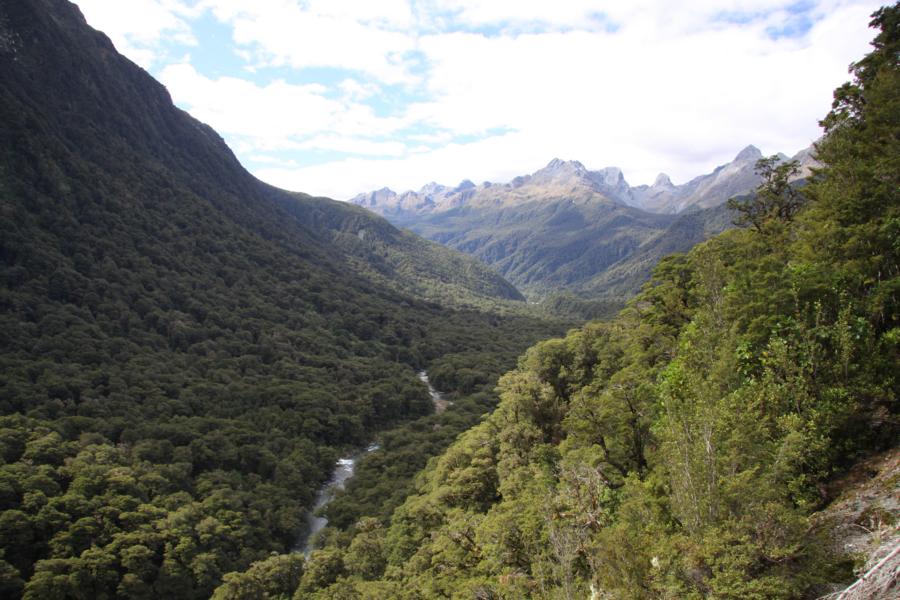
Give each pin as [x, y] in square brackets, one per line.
[550, 231]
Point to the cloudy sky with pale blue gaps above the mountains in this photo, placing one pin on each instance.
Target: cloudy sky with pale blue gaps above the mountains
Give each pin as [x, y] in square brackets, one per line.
[338, 97]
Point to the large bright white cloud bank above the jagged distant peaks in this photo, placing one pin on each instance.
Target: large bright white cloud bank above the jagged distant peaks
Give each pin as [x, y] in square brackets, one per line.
[644, 98]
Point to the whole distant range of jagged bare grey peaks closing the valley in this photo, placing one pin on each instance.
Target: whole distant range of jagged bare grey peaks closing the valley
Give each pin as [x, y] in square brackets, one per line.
[565, 228]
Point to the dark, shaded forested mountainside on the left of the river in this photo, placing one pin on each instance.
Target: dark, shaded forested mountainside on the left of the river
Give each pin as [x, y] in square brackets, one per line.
[185, 350]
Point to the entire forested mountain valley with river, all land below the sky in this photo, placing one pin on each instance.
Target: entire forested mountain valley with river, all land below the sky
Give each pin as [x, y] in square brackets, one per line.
[211, 387]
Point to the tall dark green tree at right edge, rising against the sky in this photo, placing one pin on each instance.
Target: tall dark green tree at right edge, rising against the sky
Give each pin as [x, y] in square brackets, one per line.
[854, 223]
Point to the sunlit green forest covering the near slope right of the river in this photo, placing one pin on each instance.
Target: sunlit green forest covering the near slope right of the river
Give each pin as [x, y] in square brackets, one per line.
[681, 449]
